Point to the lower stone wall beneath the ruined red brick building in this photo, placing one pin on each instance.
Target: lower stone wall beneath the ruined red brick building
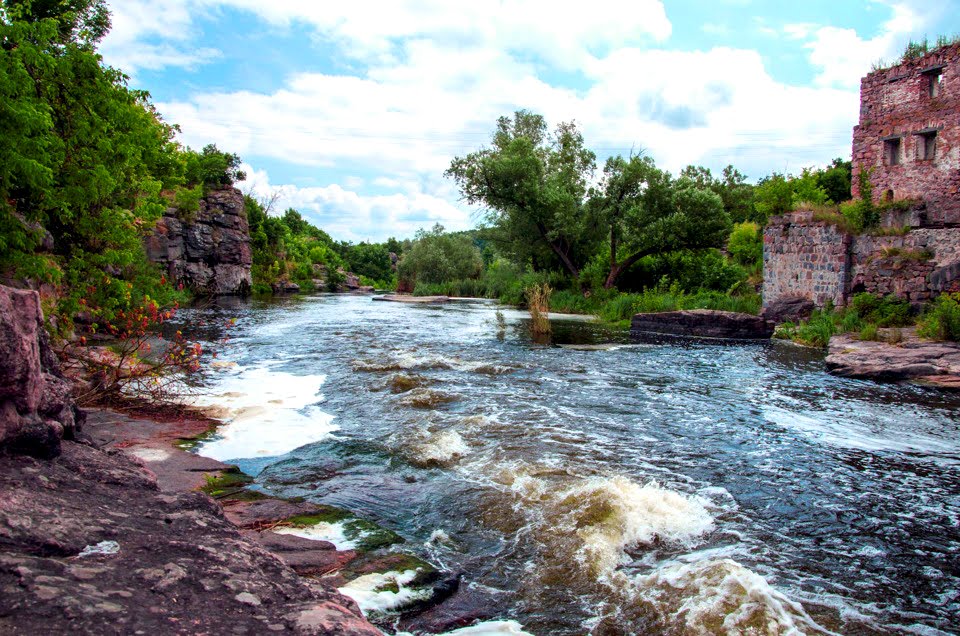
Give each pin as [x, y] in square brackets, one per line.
[808, 259]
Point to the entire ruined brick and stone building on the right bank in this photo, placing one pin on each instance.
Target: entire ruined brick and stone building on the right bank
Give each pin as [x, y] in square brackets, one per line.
[908, 141]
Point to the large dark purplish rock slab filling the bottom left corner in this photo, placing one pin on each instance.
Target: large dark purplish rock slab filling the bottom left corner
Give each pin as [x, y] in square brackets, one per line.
[89, 544]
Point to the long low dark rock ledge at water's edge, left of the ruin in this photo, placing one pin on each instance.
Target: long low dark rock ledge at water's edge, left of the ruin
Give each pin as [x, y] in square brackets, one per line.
[703, 323]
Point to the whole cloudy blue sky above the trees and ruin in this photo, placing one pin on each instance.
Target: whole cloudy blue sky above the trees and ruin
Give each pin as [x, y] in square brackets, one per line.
[351, 111]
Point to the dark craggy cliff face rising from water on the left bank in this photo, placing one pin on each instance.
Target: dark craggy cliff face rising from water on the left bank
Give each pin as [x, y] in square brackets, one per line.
[209, 254]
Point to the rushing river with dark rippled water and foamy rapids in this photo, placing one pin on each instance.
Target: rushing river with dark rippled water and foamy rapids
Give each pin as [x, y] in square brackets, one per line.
[596, 484]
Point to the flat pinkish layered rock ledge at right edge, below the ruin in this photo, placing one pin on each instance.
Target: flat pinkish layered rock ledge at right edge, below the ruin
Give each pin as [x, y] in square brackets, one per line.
[934, 363]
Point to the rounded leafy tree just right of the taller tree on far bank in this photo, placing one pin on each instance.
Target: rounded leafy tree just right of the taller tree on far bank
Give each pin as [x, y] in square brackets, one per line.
[645, 212]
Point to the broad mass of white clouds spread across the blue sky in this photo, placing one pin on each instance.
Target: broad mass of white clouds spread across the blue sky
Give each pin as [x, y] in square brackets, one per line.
[434, 76]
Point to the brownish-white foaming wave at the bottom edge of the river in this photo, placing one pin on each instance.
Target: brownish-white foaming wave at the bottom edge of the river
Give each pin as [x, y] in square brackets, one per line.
[720, 596]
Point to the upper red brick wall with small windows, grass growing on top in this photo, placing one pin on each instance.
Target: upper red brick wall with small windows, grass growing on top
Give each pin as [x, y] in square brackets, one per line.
[909, 134]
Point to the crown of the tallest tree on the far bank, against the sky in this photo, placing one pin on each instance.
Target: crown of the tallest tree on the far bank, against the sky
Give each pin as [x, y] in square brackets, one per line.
[533, 185]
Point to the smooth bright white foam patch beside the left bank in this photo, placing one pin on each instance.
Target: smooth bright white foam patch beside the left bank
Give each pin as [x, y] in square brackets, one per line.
[266, 413]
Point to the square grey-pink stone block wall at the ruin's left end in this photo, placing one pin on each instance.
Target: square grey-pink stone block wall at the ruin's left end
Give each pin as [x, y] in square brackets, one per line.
[805, 258]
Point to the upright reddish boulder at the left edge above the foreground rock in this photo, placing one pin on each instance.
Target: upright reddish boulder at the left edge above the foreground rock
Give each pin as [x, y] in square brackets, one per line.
[36, 409]
